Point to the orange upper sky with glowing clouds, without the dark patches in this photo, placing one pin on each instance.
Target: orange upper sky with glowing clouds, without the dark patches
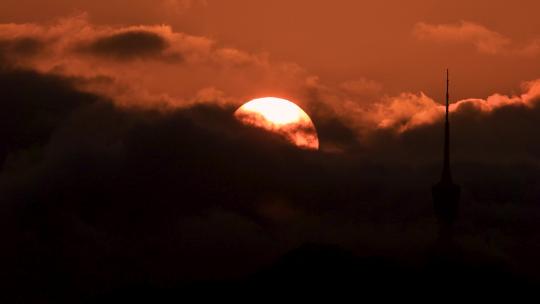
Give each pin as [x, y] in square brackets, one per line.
[338, 52]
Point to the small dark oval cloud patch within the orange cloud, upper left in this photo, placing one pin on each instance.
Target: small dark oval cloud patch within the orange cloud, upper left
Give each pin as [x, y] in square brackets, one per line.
[131, 45]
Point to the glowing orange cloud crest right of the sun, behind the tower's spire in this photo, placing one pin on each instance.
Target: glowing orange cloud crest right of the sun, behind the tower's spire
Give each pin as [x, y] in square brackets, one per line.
[409, 110]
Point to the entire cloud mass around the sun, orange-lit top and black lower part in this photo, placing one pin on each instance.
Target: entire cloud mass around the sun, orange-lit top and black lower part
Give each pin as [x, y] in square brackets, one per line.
[126, 163]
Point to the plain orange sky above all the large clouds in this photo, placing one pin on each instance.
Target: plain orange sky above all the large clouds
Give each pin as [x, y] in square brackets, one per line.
[336, 40]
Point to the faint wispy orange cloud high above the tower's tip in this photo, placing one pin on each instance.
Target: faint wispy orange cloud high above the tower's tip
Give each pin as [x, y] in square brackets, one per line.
[485, 40]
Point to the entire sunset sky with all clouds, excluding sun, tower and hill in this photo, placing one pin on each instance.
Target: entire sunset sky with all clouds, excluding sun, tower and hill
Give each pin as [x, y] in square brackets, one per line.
[119, 135]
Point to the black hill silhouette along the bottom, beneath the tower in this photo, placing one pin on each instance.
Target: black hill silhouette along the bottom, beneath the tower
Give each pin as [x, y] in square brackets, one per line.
[314, 270]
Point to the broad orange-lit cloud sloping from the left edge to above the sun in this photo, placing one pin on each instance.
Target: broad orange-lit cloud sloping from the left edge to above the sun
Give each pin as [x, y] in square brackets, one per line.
[131, 56]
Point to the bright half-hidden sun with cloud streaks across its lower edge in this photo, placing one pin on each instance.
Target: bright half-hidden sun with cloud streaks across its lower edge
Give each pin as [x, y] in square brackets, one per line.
[280, 116]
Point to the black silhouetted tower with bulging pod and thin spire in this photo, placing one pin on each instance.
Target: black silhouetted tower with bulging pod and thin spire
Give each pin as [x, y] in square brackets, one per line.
[445, 193]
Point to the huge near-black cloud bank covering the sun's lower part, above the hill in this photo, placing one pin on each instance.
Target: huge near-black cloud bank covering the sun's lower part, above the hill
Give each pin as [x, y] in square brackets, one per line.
[96, 197]
